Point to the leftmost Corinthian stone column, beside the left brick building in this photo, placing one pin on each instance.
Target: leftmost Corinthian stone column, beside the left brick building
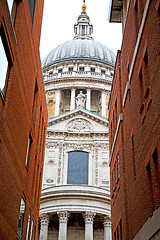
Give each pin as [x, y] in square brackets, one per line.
[44, 226]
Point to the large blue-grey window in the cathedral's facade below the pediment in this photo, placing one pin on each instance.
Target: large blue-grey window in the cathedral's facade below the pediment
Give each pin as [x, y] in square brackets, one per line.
[77, 167]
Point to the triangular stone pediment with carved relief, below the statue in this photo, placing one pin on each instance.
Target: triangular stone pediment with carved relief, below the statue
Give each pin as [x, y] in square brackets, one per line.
[78, 121]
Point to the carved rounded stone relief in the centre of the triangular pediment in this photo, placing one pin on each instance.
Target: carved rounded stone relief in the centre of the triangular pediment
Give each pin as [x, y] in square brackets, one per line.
[80, 125]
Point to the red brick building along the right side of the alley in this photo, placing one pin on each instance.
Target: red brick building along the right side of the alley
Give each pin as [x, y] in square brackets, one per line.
[134, 122]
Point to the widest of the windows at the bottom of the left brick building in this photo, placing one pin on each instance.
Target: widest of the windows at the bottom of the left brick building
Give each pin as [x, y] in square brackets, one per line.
[21, 219]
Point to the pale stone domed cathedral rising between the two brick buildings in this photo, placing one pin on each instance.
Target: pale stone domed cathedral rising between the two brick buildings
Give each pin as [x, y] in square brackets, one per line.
[76, 202]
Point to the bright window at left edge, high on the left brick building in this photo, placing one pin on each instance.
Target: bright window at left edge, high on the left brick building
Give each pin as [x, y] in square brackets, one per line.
[5, 64]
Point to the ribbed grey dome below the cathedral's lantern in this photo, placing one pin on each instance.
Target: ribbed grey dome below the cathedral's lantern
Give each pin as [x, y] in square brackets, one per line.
[80, 49]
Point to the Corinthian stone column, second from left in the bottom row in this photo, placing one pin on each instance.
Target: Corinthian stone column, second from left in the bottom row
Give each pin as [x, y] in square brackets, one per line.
[63, 218]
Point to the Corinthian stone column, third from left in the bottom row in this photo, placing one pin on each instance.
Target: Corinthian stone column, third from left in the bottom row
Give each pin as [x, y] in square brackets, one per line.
[89, 225]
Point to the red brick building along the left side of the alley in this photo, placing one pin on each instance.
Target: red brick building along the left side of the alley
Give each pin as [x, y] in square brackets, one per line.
[23, 118]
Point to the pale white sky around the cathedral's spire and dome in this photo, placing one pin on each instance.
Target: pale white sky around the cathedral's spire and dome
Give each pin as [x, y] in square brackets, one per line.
[60, 16]
